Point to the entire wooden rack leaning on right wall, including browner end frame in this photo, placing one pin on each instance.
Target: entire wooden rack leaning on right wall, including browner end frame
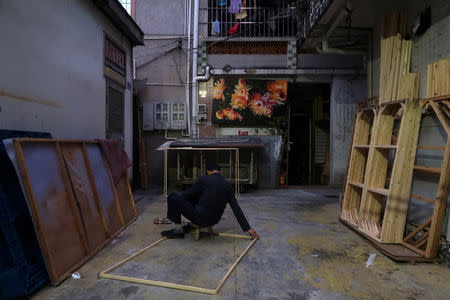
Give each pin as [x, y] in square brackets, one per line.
[368, 190]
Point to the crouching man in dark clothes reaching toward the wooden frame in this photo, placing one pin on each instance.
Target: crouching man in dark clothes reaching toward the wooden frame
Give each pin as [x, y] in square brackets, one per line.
[203, 204]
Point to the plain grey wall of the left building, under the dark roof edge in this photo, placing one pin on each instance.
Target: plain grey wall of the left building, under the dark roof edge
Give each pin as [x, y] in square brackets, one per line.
[52, 52]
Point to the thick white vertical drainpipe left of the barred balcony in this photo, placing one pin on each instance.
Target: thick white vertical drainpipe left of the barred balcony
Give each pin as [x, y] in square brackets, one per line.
[194, 72]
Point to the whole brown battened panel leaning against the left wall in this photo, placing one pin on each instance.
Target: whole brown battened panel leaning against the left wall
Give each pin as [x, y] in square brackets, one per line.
[76, 207]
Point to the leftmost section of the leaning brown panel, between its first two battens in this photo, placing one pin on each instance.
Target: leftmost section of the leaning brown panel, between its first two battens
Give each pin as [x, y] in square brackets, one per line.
[58, 220]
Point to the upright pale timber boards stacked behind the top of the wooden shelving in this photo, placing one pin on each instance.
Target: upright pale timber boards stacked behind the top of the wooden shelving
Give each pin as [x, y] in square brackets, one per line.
[396, 83]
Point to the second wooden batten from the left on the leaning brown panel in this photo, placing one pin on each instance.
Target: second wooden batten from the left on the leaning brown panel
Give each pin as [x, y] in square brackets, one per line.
[69, 191]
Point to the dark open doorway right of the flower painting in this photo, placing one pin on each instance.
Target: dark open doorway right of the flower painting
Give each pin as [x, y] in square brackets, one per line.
[309, 134]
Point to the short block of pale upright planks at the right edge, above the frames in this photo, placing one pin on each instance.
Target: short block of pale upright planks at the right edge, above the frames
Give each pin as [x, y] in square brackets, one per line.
[438, 81]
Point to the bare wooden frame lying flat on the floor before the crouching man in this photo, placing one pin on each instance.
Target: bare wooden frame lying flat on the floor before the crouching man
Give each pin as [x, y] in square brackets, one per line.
[107, 273]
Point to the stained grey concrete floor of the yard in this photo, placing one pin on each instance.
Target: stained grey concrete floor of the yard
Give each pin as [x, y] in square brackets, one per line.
[303, 253]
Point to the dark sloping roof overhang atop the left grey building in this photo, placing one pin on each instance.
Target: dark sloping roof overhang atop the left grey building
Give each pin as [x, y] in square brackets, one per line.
[122, 20]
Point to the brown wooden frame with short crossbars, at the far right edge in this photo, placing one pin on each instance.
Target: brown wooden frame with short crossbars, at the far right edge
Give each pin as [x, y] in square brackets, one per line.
[424, 240]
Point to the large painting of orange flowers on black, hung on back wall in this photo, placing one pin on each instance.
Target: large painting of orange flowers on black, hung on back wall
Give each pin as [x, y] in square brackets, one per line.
[247, 102]
